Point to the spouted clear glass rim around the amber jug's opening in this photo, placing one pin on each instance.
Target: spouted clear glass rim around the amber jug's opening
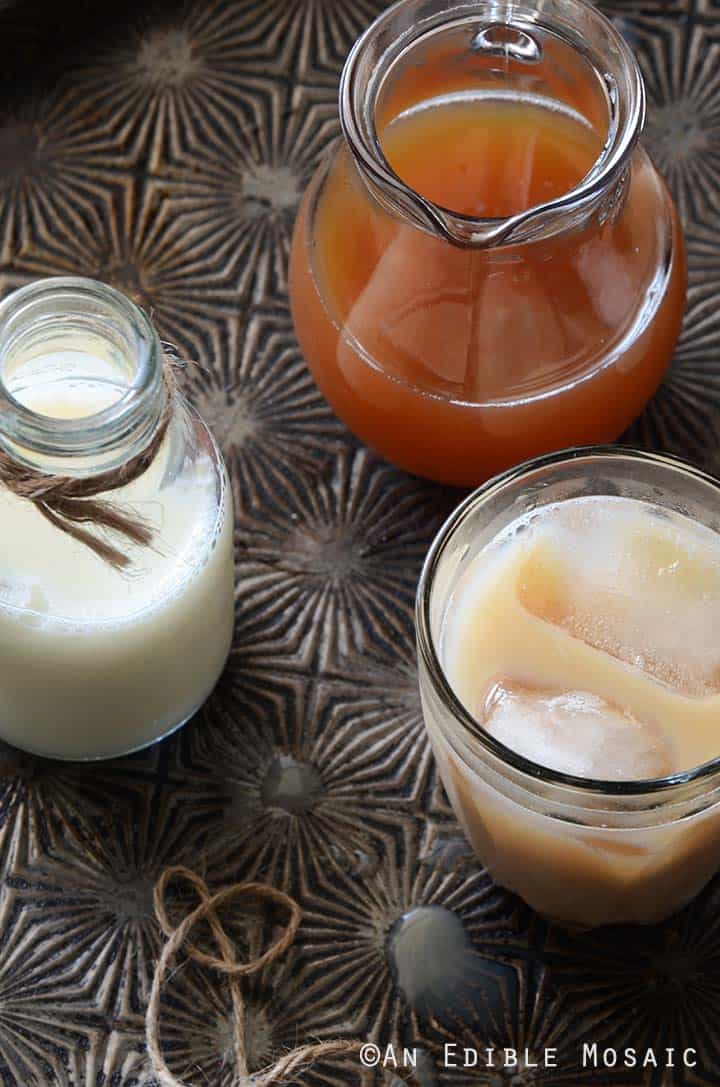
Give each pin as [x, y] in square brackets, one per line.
[406, 24]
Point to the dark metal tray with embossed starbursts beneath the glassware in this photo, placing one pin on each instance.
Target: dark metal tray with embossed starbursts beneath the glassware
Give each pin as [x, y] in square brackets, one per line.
[164, 149]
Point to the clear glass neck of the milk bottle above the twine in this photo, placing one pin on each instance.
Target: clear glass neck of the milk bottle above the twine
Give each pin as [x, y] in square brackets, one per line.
[82, 386]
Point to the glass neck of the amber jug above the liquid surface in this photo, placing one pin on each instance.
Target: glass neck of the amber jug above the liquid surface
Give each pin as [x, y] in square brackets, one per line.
[563, 53]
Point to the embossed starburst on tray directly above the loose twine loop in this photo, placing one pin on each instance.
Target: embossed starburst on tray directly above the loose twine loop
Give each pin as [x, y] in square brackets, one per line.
[303, 788]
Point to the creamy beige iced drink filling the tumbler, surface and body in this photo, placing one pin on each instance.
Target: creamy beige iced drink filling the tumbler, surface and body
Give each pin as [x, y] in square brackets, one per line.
[587, 638]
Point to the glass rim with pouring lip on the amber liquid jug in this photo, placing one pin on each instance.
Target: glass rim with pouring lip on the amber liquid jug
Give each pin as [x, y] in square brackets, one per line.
[609, 170]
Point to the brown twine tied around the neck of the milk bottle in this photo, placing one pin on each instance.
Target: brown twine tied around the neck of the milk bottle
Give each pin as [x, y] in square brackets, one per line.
[71, 503]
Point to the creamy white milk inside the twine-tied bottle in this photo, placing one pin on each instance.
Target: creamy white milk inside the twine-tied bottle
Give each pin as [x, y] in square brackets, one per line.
[94, 660]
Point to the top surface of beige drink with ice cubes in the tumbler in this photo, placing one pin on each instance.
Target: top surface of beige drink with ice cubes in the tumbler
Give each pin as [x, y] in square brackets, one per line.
[590, 641]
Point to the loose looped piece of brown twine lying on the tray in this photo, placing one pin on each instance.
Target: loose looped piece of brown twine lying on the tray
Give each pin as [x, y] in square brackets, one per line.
[227, 963]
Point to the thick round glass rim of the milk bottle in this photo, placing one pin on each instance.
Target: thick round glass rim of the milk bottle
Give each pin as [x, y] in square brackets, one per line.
[101, 431]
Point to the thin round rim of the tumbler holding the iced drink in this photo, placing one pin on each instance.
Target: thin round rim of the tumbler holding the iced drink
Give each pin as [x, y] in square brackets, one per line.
[638, 788]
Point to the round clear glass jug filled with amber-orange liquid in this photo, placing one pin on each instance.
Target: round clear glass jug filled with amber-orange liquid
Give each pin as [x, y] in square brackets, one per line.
[488, 267]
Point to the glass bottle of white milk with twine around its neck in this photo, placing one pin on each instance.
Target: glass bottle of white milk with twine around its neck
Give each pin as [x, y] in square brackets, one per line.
[104, 654]
